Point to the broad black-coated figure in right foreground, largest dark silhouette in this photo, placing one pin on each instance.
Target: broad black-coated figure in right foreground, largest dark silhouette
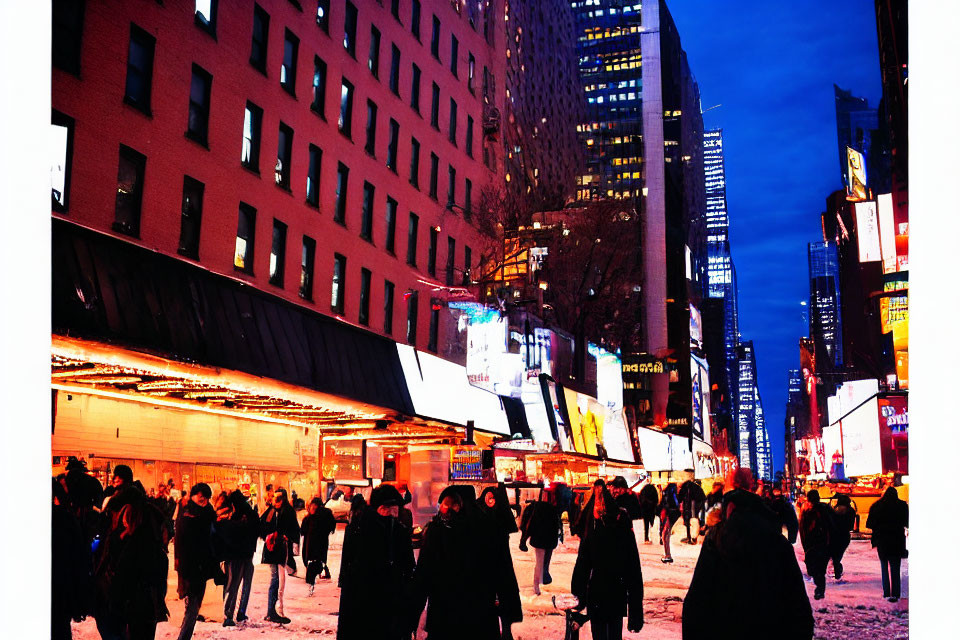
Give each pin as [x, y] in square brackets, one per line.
[747, 583]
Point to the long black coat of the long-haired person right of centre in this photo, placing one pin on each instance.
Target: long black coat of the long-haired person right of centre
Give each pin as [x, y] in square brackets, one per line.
[607, 576]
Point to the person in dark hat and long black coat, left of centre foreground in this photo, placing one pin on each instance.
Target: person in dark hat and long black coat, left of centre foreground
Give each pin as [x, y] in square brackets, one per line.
[375, 572]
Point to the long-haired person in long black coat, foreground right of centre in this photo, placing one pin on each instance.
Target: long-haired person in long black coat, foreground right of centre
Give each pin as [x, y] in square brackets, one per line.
[607, 578]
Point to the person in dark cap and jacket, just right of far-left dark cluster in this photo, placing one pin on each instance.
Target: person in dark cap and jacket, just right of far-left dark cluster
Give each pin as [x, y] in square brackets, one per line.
[193, 554]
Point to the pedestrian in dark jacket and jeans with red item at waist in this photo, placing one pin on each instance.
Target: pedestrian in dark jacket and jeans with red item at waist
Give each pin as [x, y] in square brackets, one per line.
[280, 530]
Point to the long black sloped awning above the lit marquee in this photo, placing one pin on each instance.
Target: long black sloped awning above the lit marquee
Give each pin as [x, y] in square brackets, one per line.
[107, 289]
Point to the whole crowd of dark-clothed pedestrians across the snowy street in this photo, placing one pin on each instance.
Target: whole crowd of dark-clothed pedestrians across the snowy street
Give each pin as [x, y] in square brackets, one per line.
[110, 555]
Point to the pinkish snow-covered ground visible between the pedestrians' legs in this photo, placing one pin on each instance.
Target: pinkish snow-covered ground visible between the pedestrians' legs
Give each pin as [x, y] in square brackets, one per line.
[853, 609]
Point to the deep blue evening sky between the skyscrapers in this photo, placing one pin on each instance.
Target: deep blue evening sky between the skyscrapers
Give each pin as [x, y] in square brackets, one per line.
[772, 66]
